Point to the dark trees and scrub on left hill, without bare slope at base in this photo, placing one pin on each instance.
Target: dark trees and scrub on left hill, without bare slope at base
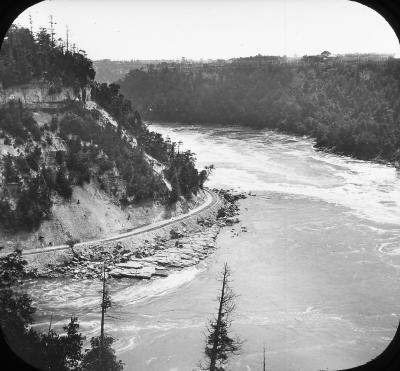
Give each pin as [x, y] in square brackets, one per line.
[77, 145]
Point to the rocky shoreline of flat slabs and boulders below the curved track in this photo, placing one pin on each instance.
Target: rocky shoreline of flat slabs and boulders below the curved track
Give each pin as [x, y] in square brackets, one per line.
[182, 248]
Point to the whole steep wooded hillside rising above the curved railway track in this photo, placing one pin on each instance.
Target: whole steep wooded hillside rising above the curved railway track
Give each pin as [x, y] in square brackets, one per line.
[76, 161]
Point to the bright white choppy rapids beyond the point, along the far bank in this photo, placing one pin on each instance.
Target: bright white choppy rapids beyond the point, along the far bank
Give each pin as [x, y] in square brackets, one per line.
[252, 160]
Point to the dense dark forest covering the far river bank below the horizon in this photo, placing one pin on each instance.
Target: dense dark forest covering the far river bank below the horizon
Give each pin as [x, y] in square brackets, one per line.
[350, 108]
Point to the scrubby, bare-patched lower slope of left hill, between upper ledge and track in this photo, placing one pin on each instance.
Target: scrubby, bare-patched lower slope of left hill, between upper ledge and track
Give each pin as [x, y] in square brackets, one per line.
[64, 180]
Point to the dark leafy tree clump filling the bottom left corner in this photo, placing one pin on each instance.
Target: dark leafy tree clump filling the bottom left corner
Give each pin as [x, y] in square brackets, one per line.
[45, 351]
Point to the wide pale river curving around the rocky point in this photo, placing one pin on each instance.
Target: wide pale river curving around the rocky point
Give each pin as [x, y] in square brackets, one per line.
[317, 272]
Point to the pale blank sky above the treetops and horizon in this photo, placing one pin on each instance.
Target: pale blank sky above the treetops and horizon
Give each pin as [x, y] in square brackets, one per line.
[205, 29]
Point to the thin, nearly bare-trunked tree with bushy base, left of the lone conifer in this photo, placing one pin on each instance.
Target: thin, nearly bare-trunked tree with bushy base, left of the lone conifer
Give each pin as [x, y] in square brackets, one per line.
[101, 356]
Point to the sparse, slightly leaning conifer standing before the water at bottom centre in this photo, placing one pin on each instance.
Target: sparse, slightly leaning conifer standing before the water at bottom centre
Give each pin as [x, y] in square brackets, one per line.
[219, 344]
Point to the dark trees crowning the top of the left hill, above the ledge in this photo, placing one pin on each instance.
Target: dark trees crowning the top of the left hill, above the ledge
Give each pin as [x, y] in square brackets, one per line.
[25, 56]
